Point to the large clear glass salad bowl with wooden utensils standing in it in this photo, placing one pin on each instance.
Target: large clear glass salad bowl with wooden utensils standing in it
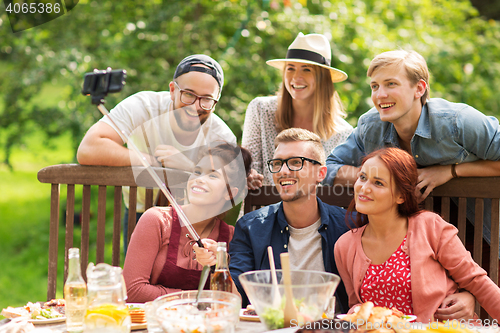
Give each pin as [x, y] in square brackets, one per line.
[311, 292]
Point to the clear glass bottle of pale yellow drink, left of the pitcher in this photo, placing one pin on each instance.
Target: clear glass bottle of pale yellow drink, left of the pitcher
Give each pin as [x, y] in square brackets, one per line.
[75, 293]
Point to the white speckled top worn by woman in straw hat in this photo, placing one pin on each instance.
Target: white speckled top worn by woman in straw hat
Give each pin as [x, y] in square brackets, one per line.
[259, 132]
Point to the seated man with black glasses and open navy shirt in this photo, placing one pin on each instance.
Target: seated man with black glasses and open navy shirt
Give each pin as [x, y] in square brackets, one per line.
[300, 224]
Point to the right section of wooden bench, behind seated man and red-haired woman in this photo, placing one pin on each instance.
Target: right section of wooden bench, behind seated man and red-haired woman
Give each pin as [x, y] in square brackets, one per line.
[439, 201]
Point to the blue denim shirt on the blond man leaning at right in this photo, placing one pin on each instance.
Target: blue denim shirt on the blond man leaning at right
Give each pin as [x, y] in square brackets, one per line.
[447, 133]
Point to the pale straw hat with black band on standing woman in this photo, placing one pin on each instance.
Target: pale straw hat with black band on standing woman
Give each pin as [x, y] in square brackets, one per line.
[311, 49]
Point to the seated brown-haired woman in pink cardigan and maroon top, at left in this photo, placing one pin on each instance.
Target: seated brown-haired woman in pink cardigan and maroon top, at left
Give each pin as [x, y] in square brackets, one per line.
[161, 258]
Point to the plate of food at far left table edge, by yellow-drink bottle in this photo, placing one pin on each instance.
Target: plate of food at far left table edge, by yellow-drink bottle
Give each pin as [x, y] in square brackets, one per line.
[38, 313]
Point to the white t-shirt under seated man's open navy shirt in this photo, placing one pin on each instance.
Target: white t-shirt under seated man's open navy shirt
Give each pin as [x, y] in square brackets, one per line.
[305, 249]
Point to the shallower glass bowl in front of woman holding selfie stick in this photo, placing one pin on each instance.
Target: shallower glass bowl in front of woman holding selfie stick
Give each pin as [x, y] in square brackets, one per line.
[216, 312]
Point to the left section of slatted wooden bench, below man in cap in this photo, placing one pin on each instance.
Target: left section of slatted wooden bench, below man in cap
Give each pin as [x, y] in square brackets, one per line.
[102, 177]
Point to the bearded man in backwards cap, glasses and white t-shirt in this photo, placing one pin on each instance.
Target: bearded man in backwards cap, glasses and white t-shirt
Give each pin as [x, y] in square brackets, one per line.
[168, 126]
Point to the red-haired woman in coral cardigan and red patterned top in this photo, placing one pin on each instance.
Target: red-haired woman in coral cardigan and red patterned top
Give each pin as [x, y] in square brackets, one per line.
[400, 256]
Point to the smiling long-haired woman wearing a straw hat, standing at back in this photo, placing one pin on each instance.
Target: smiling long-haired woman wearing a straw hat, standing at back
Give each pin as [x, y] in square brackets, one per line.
[307, 99]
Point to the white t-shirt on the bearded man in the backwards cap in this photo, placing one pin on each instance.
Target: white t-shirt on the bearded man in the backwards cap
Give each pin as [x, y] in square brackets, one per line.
[144, 119]
